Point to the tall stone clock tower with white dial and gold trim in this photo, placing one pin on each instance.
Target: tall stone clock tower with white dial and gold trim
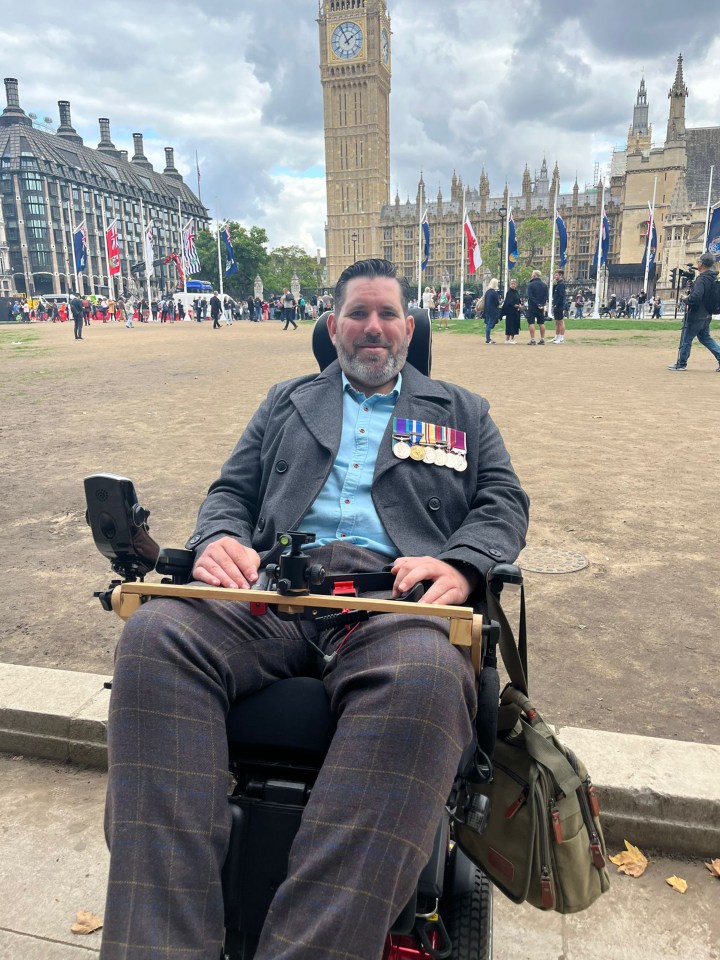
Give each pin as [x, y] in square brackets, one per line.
[355, 75]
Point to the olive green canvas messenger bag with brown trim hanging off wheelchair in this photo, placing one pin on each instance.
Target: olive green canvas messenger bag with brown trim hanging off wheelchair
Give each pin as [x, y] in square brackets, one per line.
[542, 841]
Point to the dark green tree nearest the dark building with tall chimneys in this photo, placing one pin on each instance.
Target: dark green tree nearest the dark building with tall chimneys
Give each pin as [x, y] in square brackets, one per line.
[249, 247]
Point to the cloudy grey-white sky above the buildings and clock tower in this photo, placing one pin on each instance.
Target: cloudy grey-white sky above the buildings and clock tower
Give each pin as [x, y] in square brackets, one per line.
[474, 83]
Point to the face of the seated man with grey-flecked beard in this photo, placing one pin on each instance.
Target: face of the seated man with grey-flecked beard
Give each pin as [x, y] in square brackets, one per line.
[371, 333]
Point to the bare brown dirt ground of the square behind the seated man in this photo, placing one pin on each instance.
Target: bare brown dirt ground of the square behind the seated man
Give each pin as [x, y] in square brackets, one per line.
[619, 457]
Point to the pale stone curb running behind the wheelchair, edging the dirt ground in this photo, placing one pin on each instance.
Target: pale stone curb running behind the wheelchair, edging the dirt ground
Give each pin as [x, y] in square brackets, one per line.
[660, 794]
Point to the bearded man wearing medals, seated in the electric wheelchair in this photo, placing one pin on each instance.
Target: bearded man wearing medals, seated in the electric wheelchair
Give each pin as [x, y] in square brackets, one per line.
[389, 468]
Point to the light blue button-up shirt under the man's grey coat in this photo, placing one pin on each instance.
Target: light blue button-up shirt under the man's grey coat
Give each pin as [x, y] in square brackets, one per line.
[344, 508]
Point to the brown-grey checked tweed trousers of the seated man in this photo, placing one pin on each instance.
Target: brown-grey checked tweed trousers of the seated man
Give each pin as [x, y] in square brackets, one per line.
[404, 698]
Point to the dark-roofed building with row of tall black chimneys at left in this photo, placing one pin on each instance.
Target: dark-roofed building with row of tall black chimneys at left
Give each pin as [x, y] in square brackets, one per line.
[51, 182]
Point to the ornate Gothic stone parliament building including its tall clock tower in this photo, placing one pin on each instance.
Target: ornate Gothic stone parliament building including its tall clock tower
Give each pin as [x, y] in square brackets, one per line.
[362, 220]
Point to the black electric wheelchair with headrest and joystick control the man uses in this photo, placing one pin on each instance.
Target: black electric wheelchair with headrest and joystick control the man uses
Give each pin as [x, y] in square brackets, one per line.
[279, 736]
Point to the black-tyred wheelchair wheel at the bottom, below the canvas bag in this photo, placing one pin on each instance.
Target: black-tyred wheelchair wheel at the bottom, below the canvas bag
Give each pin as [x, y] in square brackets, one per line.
[467, 911]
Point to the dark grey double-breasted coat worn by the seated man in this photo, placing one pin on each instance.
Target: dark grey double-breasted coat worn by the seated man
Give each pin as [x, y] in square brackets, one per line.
[478, 517]
